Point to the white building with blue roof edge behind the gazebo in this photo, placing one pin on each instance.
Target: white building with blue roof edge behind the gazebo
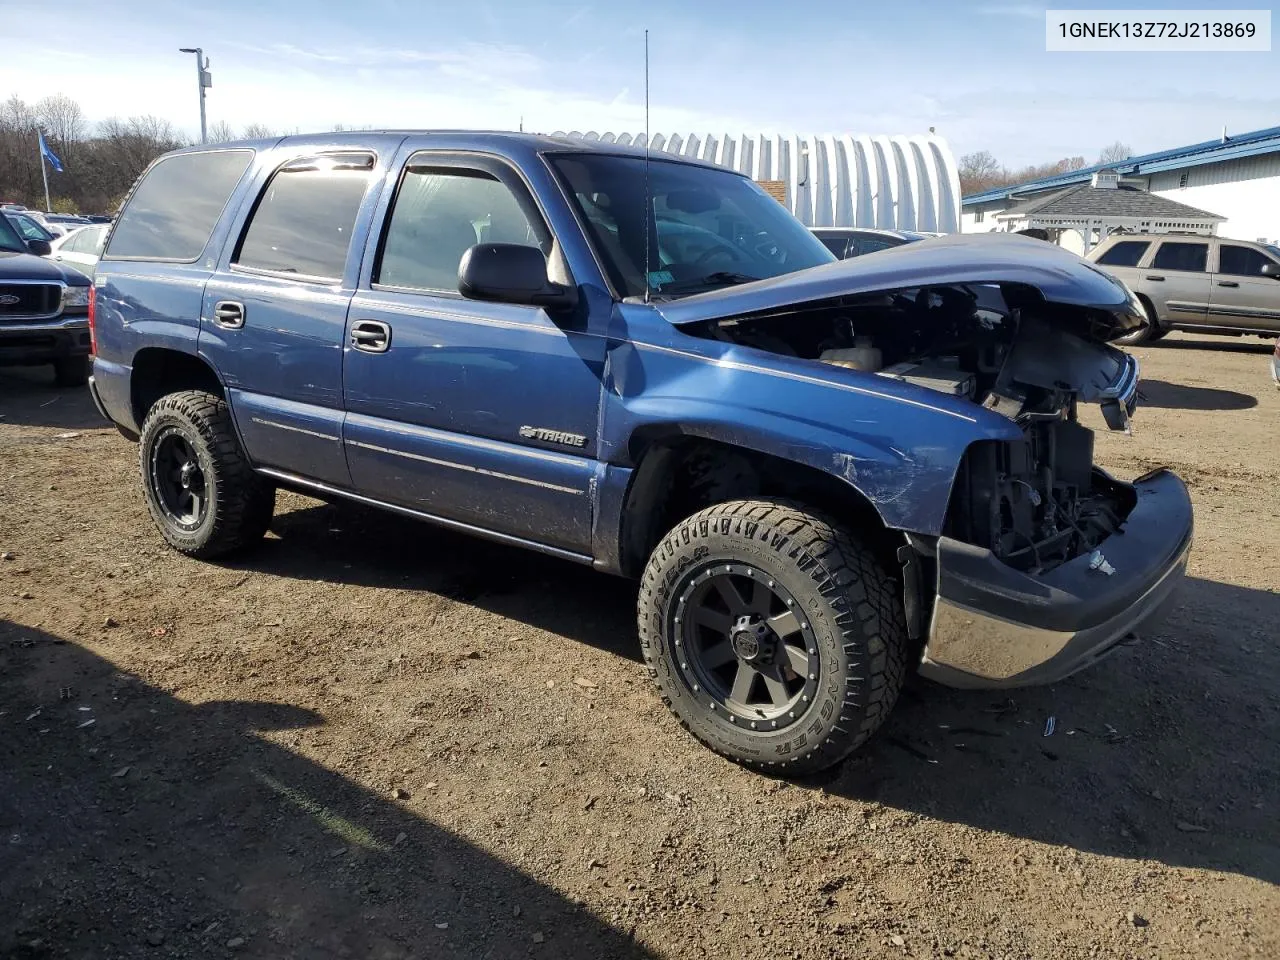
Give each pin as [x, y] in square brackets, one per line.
[1237, 179]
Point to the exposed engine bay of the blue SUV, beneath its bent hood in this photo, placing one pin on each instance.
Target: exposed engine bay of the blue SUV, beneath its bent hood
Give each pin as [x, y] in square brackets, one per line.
[1035, 505]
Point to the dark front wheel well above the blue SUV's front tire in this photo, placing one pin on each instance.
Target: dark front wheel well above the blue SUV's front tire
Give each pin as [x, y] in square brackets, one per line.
[679, 477]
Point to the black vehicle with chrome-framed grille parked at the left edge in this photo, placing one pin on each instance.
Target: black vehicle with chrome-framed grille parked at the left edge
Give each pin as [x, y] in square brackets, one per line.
[44, 310]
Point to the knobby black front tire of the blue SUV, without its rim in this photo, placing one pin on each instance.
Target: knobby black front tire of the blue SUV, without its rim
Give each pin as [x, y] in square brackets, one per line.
[853, 605]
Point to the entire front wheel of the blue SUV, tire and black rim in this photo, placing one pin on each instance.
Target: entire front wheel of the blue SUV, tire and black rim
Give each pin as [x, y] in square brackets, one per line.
[775, 636]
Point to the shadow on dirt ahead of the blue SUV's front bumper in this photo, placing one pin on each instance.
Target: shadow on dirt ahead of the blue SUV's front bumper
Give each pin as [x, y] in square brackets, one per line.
[1164, 752]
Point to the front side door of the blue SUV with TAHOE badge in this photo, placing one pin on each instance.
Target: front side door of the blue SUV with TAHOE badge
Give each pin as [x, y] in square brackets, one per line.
[483, 414]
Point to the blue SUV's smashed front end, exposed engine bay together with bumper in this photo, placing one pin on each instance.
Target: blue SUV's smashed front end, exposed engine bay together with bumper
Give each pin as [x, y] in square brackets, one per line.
[1045, 563]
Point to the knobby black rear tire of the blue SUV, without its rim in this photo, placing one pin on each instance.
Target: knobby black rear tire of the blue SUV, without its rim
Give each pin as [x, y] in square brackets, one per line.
[241, 502]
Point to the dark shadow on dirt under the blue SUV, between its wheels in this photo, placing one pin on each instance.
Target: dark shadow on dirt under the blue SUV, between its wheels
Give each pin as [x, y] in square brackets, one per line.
[355, 545]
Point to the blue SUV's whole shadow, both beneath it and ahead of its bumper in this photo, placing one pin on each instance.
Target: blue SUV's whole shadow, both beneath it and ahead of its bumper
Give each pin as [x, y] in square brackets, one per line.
[1164, 752]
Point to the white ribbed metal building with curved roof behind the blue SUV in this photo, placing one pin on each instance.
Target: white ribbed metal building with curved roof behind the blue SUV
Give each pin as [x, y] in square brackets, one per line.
[902, 182]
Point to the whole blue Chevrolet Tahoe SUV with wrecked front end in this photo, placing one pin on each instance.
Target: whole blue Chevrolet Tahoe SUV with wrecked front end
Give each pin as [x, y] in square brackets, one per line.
[822, 473]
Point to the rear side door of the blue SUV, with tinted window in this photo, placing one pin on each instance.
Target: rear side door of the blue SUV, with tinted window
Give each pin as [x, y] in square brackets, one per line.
[276, 313]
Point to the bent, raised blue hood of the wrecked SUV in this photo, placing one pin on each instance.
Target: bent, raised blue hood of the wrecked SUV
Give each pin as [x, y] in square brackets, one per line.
[1004, 259]
